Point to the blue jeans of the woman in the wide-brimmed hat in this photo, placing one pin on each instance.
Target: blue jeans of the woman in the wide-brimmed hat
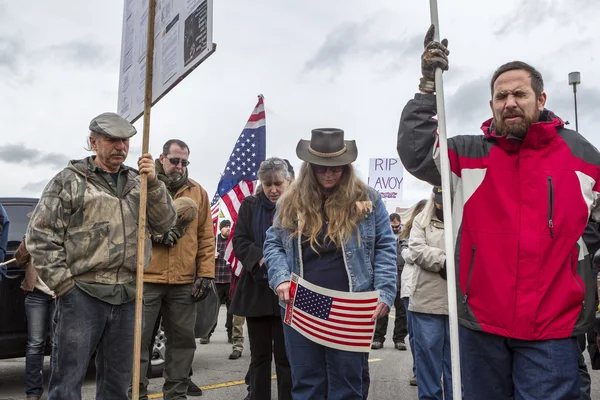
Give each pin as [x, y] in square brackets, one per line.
[320, 372]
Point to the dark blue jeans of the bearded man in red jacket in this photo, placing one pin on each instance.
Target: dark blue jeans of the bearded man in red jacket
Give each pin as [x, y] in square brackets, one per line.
[495, 367]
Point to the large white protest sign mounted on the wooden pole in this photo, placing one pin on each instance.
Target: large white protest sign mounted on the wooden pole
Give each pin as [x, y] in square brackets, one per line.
[182, 41]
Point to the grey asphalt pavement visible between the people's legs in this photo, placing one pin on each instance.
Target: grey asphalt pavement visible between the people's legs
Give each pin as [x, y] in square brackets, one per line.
[221, 378]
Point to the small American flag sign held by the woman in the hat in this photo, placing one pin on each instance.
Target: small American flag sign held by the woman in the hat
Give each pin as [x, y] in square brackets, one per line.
[340, 320]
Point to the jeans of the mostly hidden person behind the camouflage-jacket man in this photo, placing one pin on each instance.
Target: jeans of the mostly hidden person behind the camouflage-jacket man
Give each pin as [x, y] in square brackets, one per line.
[39, 308]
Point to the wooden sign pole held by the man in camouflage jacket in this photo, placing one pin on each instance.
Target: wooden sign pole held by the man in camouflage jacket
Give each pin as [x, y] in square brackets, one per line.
[139, 287]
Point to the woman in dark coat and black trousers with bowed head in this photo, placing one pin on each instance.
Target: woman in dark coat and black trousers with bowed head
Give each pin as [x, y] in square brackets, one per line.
[253, 298]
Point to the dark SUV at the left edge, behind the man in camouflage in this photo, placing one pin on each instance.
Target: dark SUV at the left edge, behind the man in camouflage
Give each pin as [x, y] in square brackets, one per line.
[13, 323]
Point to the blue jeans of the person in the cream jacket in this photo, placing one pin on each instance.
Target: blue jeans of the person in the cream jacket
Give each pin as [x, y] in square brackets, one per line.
[432, 354]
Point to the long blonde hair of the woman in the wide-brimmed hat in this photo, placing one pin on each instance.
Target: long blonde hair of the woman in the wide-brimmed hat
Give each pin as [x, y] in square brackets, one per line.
[301, 208]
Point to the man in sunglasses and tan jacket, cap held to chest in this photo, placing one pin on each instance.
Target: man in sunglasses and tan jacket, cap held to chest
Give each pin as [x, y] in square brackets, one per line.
[180, 273]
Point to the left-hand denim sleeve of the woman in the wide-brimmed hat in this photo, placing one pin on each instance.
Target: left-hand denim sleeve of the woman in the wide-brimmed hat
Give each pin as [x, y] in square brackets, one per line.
[275, 256]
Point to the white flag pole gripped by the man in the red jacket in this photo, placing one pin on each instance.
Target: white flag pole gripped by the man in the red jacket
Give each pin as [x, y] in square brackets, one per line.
[448, 231]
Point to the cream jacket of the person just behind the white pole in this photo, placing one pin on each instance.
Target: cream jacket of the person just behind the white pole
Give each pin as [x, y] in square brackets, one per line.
[426, 252]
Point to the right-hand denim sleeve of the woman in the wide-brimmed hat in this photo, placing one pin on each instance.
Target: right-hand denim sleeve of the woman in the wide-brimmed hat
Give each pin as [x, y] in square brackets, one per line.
[385, 270]
